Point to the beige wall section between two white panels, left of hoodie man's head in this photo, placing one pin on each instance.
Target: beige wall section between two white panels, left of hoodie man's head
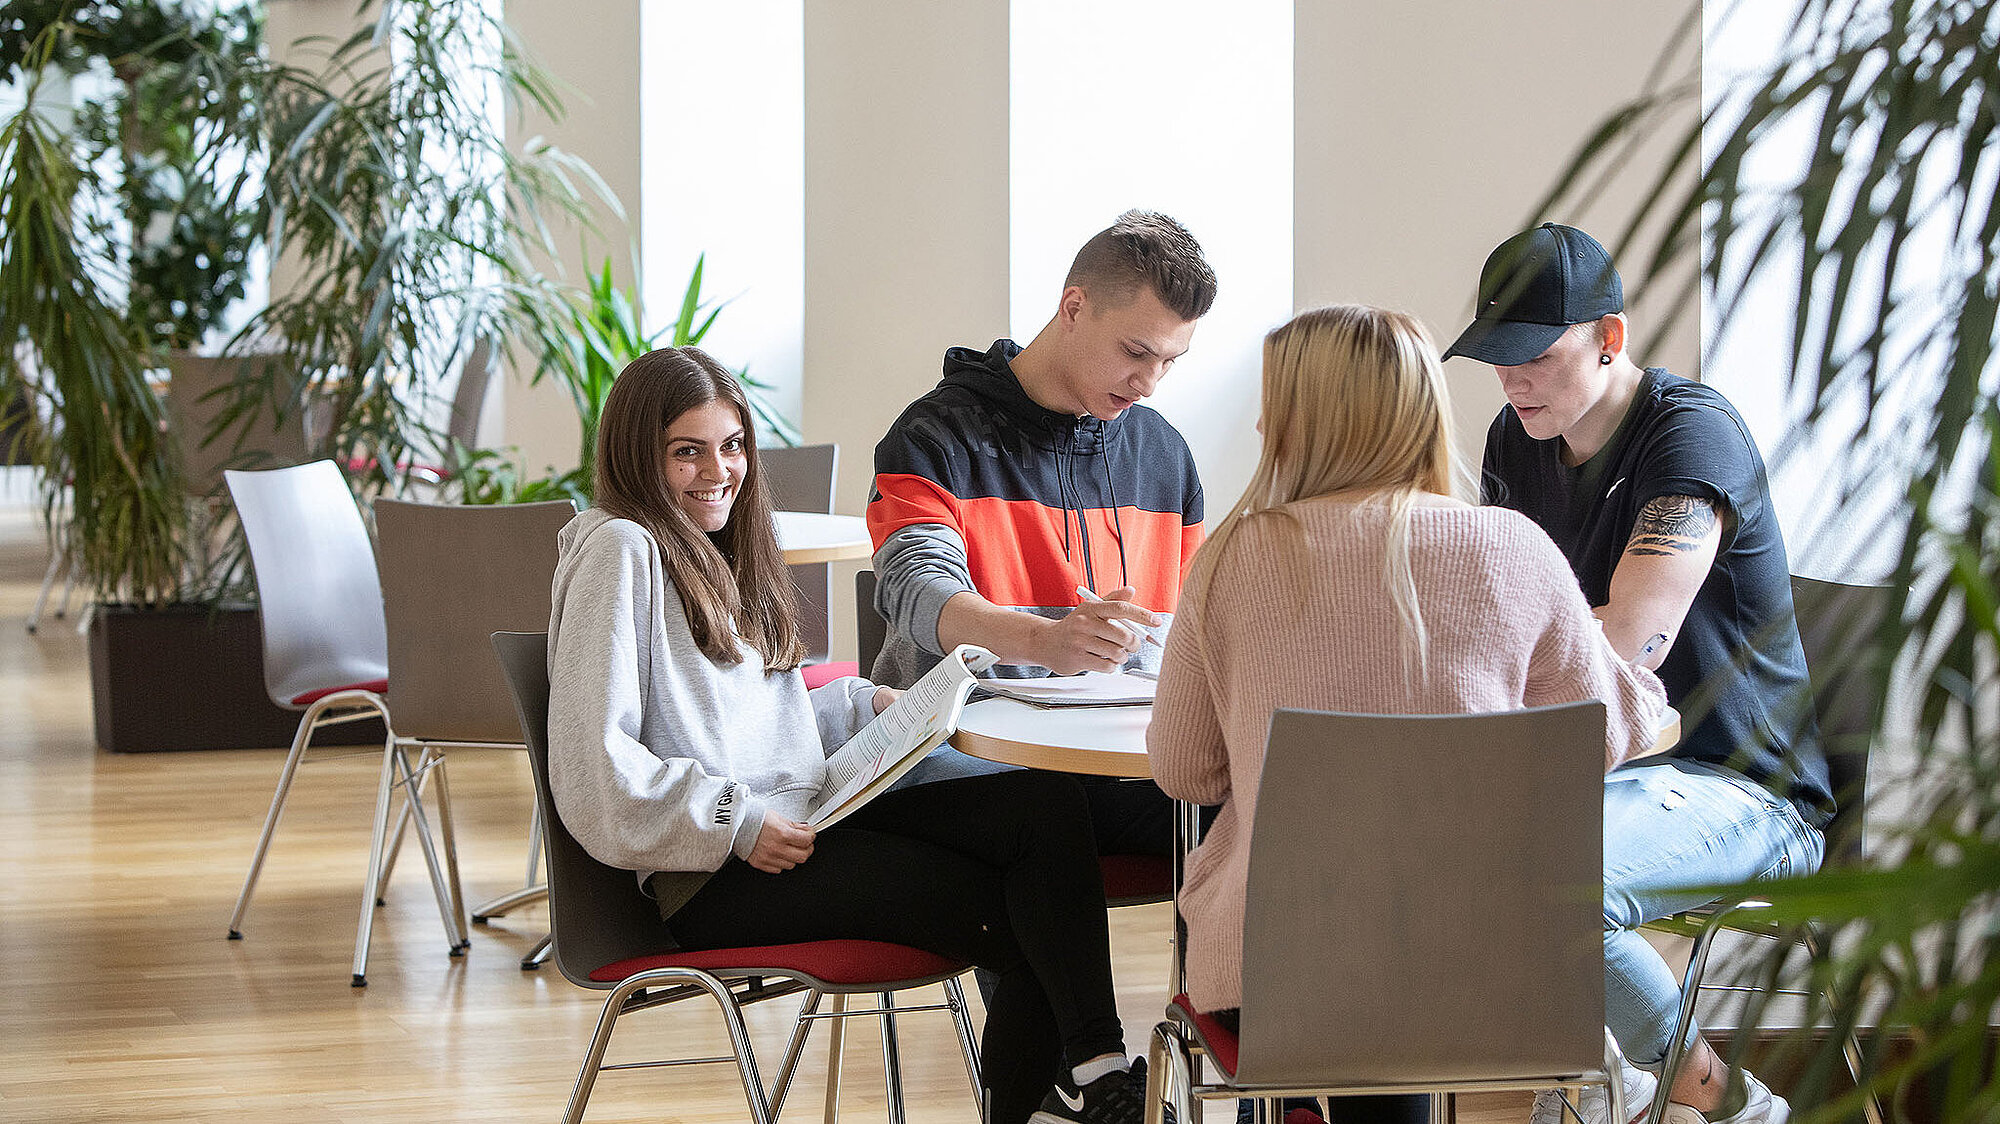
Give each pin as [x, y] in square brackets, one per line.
[907, 209]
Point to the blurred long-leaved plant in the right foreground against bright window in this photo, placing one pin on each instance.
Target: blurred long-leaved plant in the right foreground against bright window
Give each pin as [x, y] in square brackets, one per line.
[1855, 177]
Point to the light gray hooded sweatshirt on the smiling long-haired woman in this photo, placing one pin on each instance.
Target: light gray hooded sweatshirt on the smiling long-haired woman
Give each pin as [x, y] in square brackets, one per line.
[659, 757]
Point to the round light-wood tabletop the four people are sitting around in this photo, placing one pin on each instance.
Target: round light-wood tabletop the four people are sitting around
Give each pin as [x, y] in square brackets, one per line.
[1105, 741]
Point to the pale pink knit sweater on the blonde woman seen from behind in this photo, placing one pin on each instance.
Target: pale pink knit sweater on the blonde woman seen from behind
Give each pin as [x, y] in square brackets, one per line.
[1299, 615]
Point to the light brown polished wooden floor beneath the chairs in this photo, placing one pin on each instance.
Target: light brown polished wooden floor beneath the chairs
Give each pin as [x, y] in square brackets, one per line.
[121, 997]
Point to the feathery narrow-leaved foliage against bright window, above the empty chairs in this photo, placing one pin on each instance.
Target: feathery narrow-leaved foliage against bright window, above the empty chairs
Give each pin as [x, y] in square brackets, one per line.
[413, 225]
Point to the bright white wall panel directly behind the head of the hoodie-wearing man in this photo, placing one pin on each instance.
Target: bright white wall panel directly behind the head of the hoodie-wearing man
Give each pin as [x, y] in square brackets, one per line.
[1193, 117]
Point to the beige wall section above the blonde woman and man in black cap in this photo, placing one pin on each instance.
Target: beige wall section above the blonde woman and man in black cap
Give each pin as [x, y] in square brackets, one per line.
[1431, 129]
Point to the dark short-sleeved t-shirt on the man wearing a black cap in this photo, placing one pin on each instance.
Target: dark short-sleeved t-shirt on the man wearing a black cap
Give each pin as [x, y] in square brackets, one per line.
[1737, 671]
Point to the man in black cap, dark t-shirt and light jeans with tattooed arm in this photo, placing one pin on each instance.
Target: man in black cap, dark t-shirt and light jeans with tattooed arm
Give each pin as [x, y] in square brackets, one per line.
[1657, 495]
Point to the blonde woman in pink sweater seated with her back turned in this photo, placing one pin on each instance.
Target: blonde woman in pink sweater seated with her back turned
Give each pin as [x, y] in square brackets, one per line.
[1351, 547]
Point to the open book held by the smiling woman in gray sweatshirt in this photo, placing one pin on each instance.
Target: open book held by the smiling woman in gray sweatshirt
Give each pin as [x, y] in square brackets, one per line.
[891, 747]
